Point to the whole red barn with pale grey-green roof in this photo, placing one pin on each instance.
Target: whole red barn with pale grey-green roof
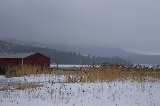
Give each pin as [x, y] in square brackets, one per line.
[24, 58]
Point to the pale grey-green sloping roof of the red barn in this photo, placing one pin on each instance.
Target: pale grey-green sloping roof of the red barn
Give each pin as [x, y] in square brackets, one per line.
[16, 55]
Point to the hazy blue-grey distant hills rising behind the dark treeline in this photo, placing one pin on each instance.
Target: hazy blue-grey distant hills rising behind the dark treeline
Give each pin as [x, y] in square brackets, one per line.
[135, 58]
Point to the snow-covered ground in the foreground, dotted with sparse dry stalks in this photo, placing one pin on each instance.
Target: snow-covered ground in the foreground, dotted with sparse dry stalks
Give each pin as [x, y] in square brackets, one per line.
[55, 92]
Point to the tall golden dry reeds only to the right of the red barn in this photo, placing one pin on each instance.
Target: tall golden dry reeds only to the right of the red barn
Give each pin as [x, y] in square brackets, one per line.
[111, 73]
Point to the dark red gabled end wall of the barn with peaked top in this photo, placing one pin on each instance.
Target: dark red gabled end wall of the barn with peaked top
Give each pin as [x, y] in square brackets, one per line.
[37, 59]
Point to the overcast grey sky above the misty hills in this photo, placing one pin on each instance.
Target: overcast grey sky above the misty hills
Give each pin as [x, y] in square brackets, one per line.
[132, 25]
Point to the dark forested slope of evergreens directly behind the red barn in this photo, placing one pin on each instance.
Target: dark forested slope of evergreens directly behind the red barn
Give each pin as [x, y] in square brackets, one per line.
[59, 56]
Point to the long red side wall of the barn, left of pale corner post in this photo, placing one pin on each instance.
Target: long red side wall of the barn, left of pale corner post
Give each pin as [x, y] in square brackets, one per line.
[10, 61]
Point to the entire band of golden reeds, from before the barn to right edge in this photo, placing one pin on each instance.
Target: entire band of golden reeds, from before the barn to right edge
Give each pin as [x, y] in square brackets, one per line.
[100, 74]
